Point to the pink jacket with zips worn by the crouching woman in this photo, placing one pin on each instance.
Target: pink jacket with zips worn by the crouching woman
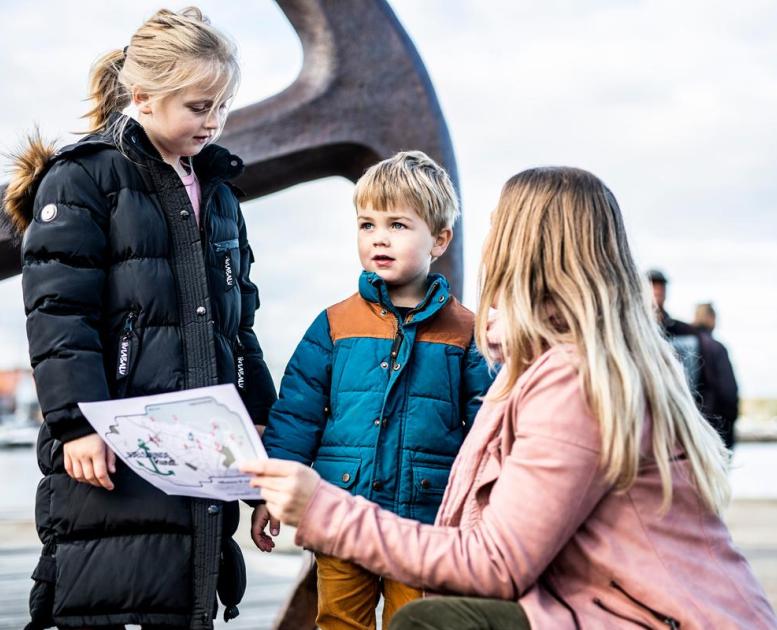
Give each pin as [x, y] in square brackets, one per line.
[527, 516]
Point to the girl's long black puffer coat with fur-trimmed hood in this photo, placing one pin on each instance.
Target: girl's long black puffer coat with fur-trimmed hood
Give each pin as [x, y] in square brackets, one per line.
[125, 296]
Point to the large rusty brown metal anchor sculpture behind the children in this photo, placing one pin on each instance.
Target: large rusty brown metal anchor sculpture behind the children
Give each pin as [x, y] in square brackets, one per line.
[362, 94]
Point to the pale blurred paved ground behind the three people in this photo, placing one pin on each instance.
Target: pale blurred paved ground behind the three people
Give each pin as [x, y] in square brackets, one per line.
[753, 524]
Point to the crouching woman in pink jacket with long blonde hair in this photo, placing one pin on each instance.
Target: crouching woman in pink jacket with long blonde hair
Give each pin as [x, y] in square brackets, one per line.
[588, 492]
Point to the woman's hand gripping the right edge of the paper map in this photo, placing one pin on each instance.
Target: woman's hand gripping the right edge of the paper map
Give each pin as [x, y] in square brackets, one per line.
[286, 486]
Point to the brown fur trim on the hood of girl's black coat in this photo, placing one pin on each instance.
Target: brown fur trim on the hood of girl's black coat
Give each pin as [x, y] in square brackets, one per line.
[29, 164]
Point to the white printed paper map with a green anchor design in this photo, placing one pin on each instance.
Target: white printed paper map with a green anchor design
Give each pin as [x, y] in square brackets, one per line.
[189, 442]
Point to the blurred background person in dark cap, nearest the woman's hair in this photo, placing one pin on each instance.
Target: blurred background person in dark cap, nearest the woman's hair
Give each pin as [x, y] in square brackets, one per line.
[683, 337]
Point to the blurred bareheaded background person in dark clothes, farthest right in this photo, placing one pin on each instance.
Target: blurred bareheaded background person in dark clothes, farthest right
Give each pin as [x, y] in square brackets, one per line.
[719, 391]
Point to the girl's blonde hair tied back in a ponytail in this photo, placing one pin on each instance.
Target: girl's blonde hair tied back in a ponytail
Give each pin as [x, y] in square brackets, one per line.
[168, 53]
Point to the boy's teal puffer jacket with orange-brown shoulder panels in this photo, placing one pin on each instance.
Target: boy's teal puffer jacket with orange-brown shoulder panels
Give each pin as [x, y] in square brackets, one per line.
[380, 406]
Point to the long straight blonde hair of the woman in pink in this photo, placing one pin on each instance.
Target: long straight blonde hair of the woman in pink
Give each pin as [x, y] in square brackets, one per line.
[558, 266]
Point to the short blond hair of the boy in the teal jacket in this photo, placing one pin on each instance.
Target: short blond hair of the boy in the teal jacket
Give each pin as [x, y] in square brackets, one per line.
[414, 179]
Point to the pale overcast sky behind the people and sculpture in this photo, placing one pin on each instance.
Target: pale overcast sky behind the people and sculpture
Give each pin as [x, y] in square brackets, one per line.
[672, 104]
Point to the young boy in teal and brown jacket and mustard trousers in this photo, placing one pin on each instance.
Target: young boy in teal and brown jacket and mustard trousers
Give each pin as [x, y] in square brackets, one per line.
[382, 389]
